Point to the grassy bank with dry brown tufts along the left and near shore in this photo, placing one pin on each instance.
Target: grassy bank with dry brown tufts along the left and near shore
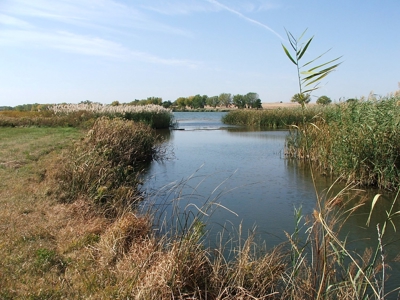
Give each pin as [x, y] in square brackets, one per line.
[70, 229]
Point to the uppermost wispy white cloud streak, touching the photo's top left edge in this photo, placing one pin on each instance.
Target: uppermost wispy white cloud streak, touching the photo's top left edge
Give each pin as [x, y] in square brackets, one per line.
[100, 14]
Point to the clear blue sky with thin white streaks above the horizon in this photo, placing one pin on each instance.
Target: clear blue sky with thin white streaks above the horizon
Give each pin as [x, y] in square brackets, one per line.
[105, 50]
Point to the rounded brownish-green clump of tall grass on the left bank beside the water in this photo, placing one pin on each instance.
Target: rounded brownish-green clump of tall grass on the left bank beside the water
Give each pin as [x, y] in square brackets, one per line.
[105, 166]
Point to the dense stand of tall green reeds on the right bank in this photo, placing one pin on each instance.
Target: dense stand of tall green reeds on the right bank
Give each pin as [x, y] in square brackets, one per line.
[357, 141]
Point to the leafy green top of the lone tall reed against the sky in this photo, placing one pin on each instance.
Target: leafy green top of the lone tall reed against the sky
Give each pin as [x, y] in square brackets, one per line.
[311, 77]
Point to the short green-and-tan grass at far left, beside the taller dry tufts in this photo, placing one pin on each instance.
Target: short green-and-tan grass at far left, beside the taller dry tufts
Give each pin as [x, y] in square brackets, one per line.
[30, 222]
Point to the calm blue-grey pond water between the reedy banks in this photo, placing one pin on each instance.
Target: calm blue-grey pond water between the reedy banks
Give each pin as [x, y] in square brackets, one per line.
[246, 172]
